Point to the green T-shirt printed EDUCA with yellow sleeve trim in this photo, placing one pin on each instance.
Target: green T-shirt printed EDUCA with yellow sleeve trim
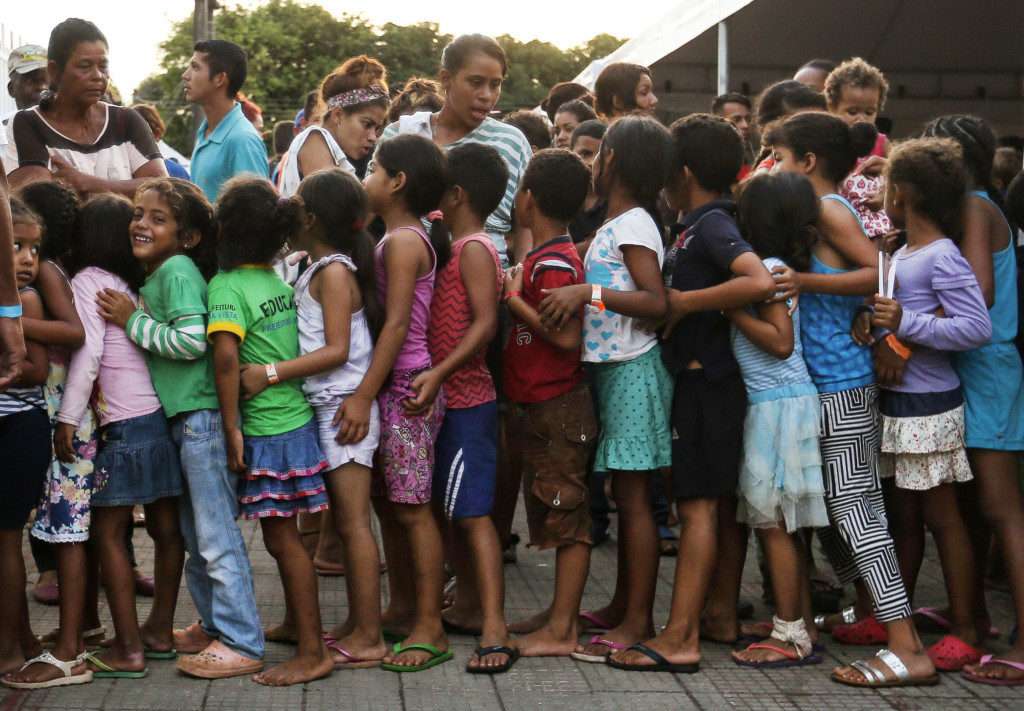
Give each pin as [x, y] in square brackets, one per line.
[257, 306]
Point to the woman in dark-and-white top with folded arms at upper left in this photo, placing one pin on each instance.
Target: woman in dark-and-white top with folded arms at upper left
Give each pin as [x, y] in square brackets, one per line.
[72, 135]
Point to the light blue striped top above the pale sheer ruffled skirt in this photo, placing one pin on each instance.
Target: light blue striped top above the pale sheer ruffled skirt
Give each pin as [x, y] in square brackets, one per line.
[765, 377]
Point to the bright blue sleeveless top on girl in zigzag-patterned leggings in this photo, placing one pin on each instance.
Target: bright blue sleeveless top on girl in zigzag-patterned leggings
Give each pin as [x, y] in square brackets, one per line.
[834, 361]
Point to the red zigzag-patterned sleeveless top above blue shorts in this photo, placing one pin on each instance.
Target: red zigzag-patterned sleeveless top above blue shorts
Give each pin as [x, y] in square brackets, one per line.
[450, 319]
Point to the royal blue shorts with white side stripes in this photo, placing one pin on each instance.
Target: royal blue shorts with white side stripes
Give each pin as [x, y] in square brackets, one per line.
[466, 462]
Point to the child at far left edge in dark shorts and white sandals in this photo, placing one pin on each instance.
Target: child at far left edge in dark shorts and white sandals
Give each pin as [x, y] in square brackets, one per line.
[25, 436]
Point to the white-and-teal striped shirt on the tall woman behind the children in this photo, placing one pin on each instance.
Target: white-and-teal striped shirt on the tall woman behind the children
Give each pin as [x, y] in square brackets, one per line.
[510, 144]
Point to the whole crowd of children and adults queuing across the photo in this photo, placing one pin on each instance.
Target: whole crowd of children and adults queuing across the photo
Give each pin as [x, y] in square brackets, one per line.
[769, 315]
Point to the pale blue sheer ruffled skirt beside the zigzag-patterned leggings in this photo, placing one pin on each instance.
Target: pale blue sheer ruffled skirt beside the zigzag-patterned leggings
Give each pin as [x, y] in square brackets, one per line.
[781, 480]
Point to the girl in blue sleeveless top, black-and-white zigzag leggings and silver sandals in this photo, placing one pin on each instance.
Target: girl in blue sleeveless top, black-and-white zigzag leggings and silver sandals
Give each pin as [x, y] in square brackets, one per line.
[843, 270]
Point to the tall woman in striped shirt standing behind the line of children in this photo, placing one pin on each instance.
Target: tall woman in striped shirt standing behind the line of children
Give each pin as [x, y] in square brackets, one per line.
[474, 68]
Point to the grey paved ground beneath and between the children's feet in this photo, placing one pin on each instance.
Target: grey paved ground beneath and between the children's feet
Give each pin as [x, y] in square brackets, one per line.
[534, 684]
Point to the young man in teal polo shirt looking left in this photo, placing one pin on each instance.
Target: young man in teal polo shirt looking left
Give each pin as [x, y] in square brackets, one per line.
[227, 145]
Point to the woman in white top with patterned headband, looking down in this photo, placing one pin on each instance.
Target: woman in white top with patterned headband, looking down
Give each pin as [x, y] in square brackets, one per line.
[357, 101]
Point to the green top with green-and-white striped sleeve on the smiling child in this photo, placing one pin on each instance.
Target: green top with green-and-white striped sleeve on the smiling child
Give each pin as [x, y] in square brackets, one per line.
[175, 299]
